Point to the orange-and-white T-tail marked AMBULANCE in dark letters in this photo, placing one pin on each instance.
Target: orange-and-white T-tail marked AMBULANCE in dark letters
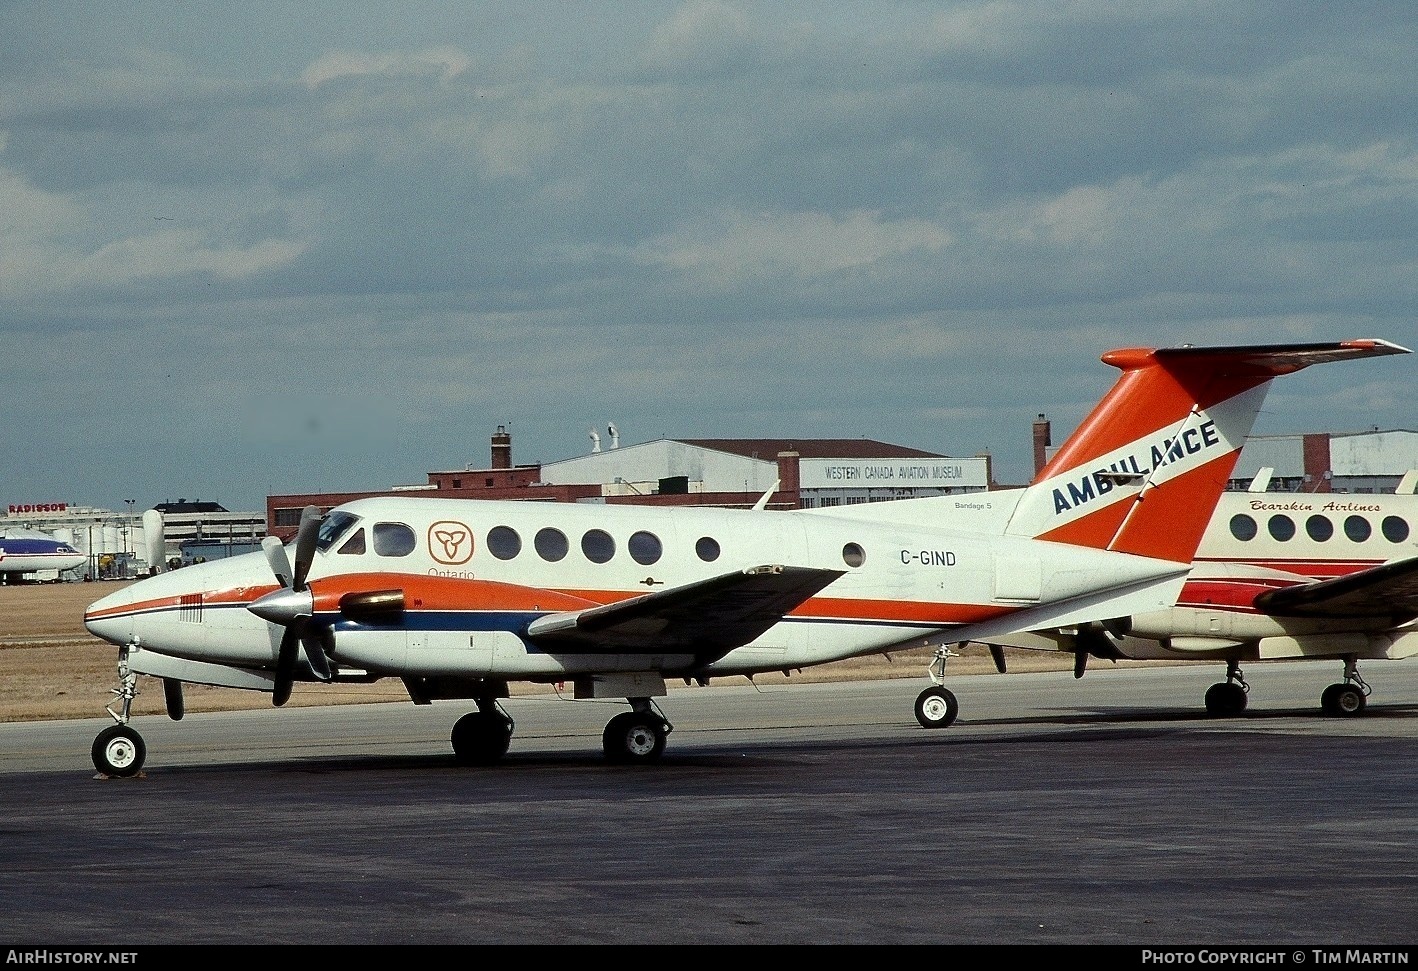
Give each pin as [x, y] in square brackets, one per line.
[1145, 471]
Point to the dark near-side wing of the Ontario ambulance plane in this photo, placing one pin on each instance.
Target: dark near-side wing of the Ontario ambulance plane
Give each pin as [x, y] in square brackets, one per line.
[710, 617]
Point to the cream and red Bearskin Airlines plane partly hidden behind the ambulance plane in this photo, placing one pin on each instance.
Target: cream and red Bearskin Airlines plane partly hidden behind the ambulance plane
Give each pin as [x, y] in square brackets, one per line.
[1277, 578]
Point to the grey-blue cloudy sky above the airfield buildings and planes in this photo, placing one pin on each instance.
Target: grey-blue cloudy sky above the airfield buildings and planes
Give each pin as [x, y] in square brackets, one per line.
[255, 249]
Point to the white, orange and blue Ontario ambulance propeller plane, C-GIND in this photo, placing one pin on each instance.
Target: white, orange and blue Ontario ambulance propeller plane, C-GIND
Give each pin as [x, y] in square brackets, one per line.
[459, 597]
